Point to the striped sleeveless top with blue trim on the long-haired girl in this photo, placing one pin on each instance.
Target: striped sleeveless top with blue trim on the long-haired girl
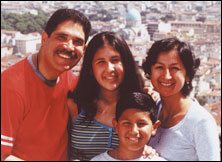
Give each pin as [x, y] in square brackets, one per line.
[91, 138]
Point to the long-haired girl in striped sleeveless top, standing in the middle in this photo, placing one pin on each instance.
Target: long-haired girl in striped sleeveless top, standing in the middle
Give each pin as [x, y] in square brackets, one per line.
[108, 72]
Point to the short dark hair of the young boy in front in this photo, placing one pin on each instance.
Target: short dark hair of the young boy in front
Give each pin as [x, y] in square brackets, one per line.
[137, 100]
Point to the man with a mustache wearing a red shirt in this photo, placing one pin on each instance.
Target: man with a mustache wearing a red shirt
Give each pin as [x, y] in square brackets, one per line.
[34, 112]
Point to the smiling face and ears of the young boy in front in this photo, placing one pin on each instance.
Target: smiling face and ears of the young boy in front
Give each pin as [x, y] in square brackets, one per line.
[134, 129]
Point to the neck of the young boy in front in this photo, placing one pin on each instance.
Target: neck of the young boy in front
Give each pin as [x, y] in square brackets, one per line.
[125, 154]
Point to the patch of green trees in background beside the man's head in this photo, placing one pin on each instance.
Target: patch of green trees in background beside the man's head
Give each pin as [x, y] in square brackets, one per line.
[25, 23]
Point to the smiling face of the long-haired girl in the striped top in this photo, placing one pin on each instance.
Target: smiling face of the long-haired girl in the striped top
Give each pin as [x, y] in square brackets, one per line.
[108, 68]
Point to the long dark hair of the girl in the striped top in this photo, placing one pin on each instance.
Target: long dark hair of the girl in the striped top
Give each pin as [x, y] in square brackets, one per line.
[87, 89]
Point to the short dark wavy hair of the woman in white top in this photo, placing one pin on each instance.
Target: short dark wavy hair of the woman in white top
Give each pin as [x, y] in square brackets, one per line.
[185, 53]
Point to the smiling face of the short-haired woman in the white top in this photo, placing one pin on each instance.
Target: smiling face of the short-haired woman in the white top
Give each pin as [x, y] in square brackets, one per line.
[168, 75]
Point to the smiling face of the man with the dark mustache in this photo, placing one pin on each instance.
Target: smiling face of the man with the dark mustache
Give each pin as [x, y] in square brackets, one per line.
[63, 49]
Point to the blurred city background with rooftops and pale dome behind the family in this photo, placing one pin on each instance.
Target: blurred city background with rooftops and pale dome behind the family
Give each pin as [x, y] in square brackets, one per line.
[139, 22]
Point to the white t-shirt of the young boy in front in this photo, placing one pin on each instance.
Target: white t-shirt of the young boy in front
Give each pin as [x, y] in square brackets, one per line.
[106, 157]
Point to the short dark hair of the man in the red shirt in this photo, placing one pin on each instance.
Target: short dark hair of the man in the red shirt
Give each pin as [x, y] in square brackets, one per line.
[62, 15]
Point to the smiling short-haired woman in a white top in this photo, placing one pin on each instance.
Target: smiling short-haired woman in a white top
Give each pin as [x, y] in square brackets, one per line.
[188, 131]
